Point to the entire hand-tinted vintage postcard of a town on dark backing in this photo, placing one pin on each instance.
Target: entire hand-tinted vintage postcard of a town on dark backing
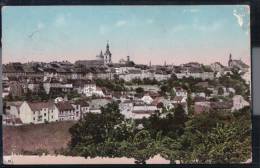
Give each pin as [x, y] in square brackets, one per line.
[126, 84]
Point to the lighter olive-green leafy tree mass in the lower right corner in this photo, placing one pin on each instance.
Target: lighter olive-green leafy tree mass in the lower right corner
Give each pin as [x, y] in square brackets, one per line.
[216, 138]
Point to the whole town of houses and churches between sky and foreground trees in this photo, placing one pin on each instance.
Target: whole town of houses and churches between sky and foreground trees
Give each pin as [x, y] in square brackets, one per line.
[39, 92]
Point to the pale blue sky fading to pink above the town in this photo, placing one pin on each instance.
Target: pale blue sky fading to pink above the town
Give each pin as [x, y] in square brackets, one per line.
[171, 34]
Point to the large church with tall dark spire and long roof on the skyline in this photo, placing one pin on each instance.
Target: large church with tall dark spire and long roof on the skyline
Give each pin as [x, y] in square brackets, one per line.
[101, 59]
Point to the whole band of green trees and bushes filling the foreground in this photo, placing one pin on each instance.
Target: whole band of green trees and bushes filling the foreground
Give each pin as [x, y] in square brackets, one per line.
[214, 137]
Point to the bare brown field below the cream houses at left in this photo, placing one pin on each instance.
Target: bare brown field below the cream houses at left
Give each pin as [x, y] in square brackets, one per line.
[31, 137]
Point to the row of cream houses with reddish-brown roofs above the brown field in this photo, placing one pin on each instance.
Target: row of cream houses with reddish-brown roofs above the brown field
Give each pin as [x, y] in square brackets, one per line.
[50, 111]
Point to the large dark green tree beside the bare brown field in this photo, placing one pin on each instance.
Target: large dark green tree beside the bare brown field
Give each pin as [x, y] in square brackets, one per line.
[95, 131]
